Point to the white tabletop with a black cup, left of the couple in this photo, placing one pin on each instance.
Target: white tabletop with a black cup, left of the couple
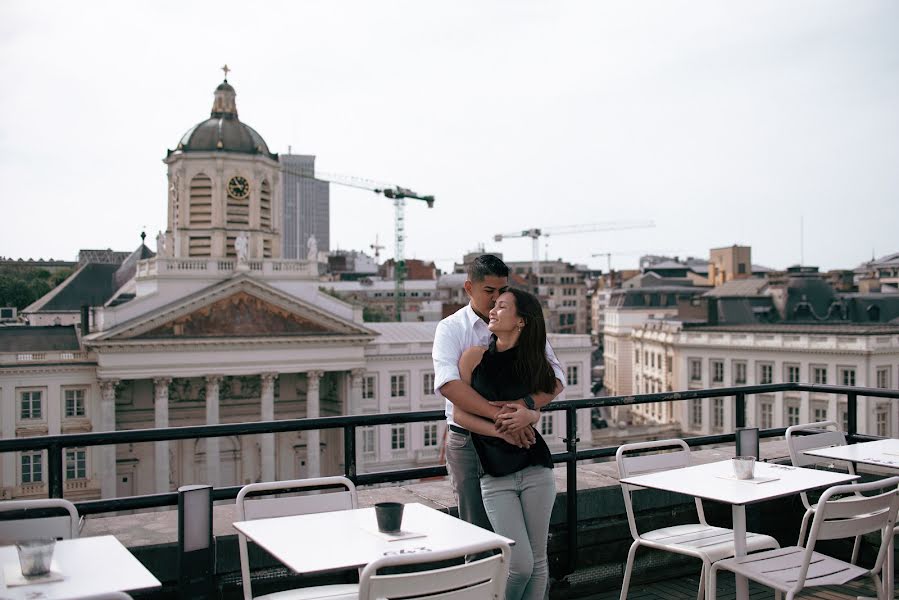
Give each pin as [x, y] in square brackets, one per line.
[346, 539]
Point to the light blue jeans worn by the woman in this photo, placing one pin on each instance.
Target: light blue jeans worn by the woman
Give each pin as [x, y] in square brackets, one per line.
[519, 506]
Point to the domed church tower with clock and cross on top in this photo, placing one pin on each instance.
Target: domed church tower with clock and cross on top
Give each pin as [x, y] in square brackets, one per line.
[223, 189]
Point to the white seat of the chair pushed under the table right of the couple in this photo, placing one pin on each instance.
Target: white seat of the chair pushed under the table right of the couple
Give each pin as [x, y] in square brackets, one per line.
[695, 539]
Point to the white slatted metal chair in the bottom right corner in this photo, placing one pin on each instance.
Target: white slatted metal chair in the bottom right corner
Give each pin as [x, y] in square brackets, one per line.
[794, 568]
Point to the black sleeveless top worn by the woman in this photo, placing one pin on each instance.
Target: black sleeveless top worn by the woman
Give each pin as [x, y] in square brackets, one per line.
[495, 379]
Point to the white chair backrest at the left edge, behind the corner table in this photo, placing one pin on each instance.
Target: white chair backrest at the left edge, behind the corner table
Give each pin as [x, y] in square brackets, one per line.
[41, 518]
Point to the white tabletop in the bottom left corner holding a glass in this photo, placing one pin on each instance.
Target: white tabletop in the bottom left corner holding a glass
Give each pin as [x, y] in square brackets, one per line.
[89, 566]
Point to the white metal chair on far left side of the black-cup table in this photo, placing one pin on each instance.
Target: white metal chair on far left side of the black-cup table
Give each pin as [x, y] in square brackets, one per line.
[275, 504]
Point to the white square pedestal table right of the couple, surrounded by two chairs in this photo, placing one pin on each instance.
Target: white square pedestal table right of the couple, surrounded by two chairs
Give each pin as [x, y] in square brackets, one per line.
[714, 481]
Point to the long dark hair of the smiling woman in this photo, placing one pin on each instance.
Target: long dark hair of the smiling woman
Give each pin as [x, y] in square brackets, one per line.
[531, 364]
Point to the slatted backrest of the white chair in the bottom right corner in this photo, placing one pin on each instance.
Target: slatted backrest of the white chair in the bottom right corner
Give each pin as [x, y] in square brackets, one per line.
[843, 511]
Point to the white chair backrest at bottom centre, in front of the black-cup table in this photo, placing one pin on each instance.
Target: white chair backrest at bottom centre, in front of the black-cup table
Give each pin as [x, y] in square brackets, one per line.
[477, 580]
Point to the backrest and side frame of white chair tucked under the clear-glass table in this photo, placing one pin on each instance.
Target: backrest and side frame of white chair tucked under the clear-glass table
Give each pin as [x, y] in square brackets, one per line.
[646, 457]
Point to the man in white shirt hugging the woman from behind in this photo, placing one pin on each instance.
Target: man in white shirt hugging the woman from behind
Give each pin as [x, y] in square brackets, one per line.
[488, 277]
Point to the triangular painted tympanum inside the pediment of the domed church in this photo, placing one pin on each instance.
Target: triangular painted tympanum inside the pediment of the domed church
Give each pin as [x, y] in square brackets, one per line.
[238, 315]
